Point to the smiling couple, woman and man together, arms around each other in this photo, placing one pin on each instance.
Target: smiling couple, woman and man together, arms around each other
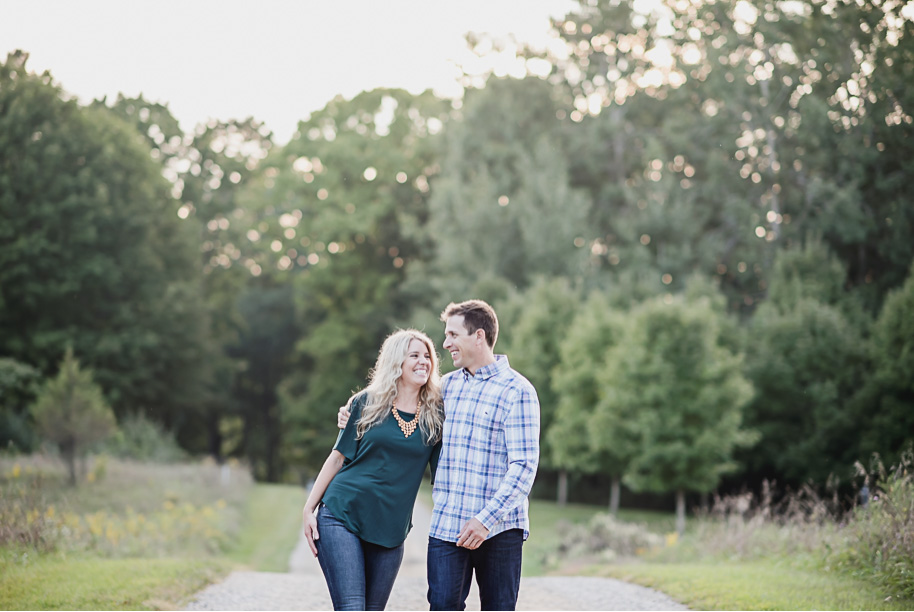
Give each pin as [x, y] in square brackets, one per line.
[477, 428]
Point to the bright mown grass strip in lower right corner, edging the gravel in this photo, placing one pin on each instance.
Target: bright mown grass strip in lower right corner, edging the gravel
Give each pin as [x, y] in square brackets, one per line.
[768, 584]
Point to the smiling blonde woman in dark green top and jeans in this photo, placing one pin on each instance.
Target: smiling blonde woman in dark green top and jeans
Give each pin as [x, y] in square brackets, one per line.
[365, 492]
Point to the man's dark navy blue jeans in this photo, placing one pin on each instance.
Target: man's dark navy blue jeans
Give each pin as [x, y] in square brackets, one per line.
[496, 564]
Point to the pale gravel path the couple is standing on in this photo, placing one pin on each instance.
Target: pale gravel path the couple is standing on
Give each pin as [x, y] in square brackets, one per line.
[303, 588]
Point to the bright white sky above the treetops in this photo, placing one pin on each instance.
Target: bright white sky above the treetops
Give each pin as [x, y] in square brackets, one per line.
[276, 60]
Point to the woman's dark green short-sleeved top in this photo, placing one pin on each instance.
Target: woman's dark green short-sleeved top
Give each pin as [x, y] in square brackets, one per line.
[374, 492]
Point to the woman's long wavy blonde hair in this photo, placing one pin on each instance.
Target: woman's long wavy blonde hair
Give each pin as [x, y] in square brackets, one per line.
[382, 386]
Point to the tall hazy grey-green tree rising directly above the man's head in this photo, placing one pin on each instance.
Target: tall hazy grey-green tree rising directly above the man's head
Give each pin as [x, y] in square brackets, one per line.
[502, 198]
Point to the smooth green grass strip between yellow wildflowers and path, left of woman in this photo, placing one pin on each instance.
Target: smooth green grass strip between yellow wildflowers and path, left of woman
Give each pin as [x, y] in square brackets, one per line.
[272, 521]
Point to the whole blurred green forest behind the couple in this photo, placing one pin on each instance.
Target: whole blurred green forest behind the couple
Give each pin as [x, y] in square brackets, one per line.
[695, 224]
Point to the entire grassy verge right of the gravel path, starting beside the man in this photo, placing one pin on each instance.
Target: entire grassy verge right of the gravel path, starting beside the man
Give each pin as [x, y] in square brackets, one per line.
[776, 581]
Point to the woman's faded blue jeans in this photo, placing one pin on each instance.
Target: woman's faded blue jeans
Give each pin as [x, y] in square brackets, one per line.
[359, 575]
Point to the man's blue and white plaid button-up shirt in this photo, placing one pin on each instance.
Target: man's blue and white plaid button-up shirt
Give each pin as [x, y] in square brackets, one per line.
[489, 453]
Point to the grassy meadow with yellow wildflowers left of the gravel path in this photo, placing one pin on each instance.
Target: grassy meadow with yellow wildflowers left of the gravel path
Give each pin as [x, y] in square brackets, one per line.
[138, 537]
